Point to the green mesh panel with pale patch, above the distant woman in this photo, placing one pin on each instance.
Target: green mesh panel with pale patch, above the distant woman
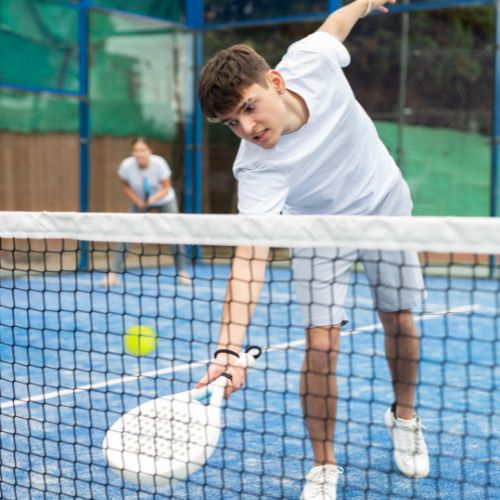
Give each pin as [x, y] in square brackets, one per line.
[137, 72]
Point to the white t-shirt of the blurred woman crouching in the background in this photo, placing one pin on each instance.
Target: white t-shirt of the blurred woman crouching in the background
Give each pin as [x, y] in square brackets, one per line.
[142, 180]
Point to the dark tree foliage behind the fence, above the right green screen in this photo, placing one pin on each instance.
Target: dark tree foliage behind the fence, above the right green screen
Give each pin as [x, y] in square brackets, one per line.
[450, 62]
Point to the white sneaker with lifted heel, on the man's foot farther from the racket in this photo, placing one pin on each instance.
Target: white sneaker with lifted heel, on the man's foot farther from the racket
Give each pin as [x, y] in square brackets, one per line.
[410, 451]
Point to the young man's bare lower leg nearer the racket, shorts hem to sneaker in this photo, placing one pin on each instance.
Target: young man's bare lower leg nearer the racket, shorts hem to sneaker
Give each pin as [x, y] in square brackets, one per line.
[319, 390]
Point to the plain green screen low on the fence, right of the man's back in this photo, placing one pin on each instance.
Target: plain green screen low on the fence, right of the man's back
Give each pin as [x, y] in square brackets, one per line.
[448, 170]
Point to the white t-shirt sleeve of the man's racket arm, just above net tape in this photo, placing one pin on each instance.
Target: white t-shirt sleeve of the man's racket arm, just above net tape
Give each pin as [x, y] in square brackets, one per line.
[261, 192]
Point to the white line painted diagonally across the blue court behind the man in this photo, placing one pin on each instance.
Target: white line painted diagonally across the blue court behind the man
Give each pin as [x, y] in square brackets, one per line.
[187, 366]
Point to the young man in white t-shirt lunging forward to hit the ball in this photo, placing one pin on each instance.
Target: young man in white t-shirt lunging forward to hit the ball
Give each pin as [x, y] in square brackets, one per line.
[308, 147]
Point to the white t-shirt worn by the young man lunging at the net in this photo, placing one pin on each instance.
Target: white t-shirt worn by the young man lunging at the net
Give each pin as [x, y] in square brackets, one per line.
[335, 163]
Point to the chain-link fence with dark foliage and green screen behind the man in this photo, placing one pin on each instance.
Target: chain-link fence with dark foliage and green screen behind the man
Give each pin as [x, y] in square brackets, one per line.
[432, 102]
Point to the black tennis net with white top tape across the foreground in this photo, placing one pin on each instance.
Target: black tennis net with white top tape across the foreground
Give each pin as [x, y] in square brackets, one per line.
[66, 375]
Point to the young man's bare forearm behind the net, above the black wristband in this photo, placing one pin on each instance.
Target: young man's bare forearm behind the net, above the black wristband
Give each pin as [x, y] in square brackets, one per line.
[243, 291]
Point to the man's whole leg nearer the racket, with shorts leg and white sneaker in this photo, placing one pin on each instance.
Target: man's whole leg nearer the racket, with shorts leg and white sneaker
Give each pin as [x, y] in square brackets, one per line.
[321, 276]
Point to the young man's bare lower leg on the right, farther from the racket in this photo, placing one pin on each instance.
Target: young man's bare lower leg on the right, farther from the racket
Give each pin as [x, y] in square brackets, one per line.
[402, 352]
